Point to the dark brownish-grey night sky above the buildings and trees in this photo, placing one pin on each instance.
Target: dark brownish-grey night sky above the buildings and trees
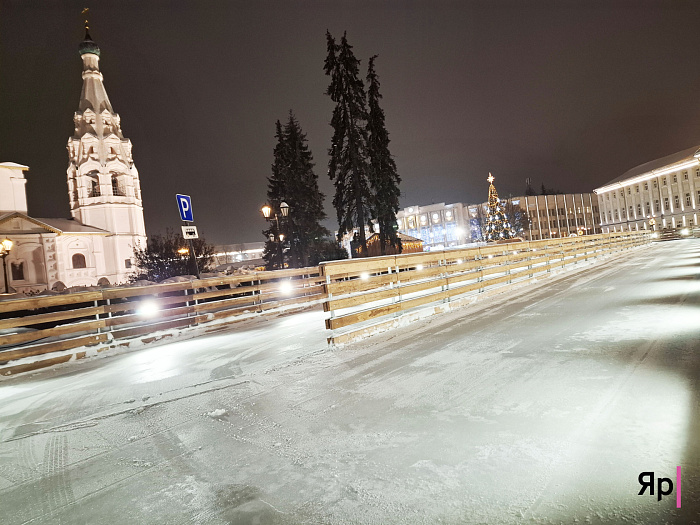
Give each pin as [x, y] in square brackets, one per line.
[570, 94]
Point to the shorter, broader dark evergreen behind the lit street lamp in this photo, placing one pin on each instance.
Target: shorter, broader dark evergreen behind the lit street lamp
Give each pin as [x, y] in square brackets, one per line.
[293, 181]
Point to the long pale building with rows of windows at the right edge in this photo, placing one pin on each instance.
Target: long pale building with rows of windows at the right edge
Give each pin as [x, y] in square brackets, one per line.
[663, 193]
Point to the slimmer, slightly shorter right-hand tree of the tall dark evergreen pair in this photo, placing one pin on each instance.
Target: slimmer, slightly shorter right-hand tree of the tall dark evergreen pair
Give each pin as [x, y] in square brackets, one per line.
[383, 175]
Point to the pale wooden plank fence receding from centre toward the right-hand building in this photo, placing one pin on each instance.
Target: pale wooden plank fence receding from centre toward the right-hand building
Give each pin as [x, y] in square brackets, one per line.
[361, 293]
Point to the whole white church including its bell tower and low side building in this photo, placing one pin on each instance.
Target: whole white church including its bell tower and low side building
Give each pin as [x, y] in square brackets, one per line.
[96, 245]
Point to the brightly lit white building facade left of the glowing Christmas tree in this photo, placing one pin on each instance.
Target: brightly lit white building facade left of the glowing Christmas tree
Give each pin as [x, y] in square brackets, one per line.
[439, 226]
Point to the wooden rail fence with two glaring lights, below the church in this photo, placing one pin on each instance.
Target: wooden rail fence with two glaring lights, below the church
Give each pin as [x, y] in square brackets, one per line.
[42, 325]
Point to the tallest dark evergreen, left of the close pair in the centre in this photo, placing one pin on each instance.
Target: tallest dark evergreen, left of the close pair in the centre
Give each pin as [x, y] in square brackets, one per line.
[348, 166]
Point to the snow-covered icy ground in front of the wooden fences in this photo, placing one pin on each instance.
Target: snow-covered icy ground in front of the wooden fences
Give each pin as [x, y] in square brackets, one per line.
[543, 407]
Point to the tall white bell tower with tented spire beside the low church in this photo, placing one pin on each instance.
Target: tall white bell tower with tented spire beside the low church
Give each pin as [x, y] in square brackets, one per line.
[103, 182]
